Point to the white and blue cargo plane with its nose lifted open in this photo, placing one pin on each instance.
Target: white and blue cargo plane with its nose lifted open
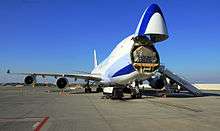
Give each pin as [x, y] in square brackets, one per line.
[134, 60]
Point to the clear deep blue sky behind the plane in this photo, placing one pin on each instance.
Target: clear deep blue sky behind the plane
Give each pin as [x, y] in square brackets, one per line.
[60, 35]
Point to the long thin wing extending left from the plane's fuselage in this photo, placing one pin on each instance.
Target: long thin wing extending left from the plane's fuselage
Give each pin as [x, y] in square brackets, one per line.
[85, 76]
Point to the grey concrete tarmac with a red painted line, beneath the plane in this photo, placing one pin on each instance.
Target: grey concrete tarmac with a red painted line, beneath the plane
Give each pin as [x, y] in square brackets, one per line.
[27, 108]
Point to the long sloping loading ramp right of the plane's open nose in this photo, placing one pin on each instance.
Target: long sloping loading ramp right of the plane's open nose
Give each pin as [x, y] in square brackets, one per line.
[180, 81]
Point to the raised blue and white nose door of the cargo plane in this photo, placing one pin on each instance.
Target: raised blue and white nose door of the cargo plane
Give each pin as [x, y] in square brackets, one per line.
[152, 24]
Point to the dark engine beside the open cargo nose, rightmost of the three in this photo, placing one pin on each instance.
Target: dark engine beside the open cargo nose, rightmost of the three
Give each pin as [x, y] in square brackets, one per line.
[157, 82]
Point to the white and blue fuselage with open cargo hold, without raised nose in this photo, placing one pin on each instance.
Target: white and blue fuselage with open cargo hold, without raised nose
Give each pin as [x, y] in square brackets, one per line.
[133, 58]
